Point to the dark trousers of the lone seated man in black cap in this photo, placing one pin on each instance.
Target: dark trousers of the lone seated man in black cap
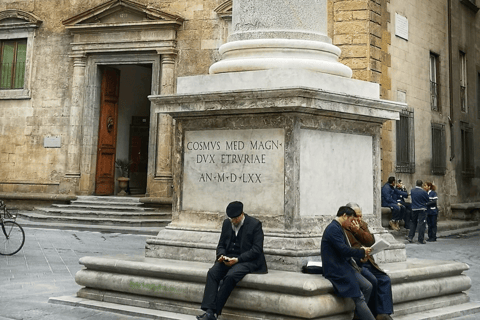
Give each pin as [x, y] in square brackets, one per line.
[215, 297]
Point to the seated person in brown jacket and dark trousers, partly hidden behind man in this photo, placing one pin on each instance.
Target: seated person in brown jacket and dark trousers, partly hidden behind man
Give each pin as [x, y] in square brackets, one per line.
[381, 301]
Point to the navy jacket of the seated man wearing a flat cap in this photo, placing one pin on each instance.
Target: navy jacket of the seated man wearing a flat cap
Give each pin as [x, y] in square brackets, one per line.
[251, 247]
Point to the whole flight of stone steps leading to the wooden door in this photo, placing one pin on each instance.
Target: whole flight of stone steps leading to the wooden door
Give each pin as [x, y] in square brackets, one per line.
[108, 214]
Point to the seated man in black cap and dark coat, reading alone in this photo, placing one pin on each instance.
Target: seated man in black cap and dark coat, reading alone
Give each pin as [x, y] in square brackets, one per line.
[239, 252]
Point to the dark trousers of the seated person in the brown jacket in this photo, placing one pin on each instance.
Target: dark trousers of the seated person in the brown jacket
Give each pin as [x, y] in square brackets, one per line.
[381, 301]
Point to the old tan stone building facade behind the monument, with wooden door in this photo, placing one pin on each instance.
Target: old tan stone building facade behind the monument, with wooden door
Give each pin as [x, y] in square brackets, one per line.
[70, 61]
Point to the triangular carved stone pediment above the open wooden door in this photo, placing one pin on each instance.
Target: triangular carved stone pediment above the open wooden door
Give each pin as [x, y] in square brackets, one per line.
[117, 12]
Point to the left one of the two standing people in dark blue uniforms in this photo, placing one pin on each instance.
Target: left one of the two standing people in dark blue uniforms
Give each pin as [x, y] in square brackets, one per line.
[419, 212]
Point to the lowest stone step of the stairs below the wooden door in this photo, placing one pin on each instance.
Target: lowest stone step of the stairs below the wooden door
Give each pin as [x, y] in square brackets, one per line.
[137, 222]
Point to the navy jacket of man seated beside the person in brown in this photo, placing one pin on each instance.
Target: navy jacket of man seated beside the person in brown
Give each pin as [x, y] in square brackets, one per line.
[336, 253]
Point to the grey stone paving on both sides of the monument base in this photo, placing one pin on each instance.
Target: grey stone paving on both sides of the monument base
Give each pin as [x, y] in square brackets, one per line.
[47, 264]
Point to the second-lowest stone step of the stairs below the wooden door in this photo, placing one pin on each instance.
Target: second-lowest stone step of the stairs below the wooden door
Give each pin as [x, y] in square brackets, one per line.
[74, 212]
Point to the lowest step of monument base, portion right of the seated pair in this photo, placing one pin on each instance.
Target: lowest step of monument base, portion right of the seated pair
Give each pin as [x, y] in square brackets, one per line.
[450, 312]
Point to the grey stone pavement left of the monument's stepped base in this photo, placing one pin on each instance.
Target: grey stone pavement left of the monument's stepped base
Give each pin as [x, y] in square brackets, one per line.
[46, 267]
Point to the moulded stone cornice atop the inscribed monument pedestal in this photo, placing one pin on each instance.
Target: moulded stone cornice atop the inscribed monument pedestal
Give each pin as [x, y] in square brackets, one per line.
[302, 100]
